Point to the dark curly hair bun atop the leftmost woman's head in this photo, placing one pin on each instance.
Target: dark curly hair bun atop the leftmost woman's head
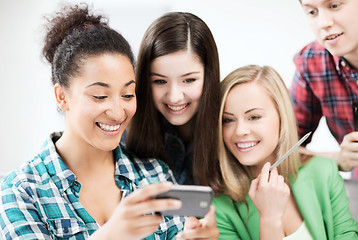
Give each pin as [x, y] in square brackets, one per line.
[64, 22]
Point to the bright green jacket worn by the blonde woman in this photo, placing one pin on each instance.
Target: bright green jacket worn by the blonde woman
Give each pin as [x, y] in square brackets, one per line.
[321, 198]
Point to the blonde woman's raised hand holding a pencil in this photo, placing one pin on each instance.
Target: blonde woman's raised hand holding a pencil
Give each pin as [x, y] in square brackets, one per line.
[270, 194]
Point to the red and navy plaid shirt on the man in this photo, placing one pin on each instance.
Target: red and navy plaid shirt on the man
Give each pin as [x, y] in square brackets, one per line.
[323, 85]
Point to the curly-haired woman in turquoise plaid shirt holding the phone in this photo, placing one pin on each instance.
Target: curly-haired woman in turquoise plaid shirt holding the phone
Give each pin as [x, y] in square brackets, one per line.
[82, 184]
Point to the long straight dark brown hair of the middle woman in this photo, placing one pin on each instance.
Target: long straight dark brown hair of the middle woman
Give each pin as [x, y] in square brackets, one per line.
[170, 33]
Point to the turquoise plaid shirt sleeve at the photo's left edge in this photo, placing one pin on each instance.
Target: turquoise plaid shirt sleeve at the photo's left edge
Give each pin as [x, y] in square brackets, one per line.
[19, 218]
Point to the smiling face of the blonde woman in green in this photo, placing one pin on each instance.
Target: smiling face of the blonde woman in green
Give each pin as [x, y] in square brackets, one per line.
[251, 125]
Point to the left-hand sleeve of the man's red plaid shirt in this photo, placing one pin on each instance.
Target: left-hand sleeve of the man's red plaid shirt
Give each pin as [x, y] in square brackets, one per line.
[305, 104]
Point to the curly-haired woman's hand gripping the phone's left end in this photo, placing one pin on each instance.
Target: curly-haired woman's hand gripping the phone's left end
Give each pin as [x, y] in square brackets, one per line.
[132, 219]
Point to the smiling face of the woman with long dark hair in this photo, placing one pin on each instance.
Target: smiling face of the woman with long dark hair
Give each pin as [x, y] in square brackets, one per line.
[177, 81]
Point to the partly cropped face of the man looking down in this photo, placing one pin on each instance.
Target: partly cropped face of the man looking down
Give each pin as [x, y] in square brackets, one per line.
[334, 24]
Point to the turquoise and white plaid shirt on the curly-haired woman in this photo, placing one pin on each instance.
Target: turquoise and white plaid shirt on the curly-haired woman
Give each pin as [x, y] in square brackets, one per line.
[40, 200]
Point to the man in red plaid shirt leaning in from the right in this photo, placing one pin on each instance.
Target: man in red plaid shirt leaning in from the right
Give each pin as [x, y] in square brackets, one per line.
[326, 78]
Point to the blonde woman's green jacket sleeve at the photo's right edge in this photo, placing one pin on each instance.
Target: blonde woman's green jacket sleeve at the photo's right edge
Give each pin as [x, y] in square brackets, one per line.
[345, 227]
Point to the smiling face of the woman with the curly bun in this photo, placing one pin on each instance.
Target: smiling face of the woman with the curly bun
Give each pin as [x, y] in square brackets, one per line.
[100, 101]
